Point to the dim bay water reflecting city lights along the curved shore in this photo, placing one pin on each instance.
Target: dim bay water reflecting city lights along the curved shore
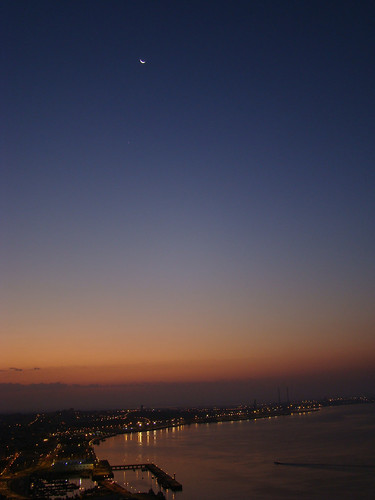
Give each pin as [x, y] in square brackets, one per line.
[332, 452]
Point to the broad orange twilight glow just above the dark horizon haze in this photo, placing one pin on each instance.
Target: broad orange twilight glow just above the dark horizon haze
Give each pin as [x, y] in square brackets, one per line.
[187, 349]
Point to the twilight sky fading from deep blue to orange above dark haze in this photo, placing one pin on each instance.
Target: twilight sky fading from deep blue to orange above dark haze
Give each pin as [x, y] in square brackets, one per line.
[205, 216]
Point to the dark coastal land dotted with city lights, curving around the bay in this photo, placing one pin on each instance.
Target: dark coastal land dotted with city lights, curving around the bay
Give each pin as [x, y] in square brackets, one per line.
[42, 452]
